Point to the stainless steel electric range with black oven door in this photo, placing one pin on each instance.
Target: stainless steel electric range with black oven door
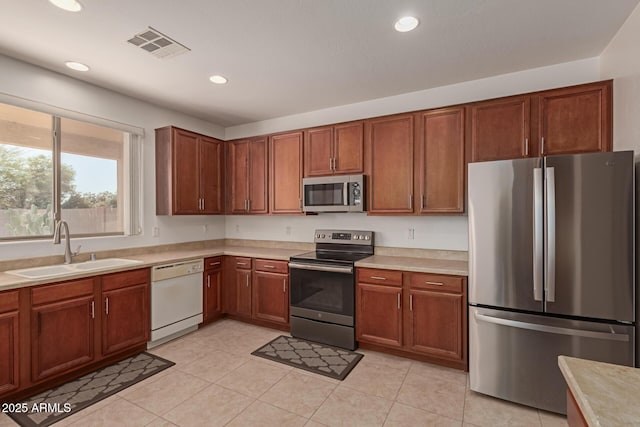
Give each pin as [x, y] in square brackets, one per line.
[323, 287]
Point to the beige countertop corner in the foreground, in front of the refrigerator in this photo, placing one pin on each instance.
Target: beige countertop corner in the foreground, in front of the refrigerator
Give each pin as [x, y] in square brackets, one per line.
[608, 395]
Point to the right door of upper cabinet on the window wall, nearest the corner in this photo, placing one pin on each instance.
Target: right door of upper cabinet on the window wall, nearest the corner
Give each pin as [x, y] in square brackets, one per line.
[211, 175]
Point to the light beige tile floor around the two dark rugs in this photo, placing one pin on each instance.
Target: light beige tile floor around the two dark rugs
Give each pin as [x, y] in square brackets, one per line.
[217, 382]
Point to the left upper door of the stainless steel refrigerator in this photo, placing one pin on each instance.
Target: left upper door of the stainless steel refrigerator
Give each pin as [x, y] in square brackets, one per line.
[502, 248]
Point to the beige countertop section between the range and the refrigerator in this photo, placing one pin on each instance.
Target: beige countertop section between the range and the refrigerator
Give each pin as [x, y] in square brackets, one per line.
[419, 265]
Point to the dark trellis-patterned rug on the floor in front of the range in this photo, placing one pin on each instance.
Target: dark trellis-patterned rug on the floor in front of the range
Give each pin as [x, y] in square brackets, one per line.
[322, 359]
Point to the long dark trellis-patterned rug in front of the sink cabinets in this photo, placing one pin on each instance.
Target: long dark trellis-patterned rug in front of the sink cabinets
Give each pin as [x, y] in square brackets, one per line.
[57, 403]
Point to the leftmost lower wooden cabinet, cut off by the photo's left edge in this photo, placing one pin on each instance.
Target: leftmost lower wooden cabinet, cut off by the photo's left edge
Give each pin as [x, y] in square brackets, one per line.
[9, 342]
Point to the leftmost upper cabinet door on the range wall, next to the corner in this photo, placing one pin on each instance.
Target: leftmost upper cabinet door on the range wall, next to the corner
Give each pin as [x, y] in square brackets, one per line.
[238, 167]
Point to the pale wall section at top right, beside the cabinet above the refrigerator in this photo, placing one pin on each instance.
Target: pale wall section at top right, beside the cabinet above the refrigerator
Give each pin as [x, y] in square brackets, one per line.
[621, 61]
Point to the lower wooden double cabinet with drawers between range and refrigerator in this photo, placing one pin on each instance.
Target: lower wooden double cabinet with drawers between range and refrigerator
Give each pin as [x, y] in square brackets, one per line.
[415, 313]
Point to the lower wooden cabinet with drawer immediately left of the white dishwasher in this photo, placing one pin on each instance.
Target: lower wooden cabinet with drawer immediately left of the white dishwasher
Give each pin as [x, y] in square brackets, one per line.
[125, 315]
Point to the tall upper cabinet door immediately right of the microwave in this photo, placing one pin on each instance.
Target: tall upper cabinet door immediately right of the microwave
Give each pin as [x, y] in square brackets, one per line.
[390, 164]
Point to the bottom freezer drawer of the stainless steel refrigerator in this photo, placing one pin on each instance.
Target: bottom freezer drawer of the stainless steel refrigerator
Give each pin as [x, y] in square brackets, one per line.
[514, 356]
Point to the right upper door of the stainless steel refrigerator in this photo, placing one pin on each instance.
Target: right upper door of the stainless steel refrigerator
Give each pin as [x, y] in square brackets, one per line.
[590, 235]
